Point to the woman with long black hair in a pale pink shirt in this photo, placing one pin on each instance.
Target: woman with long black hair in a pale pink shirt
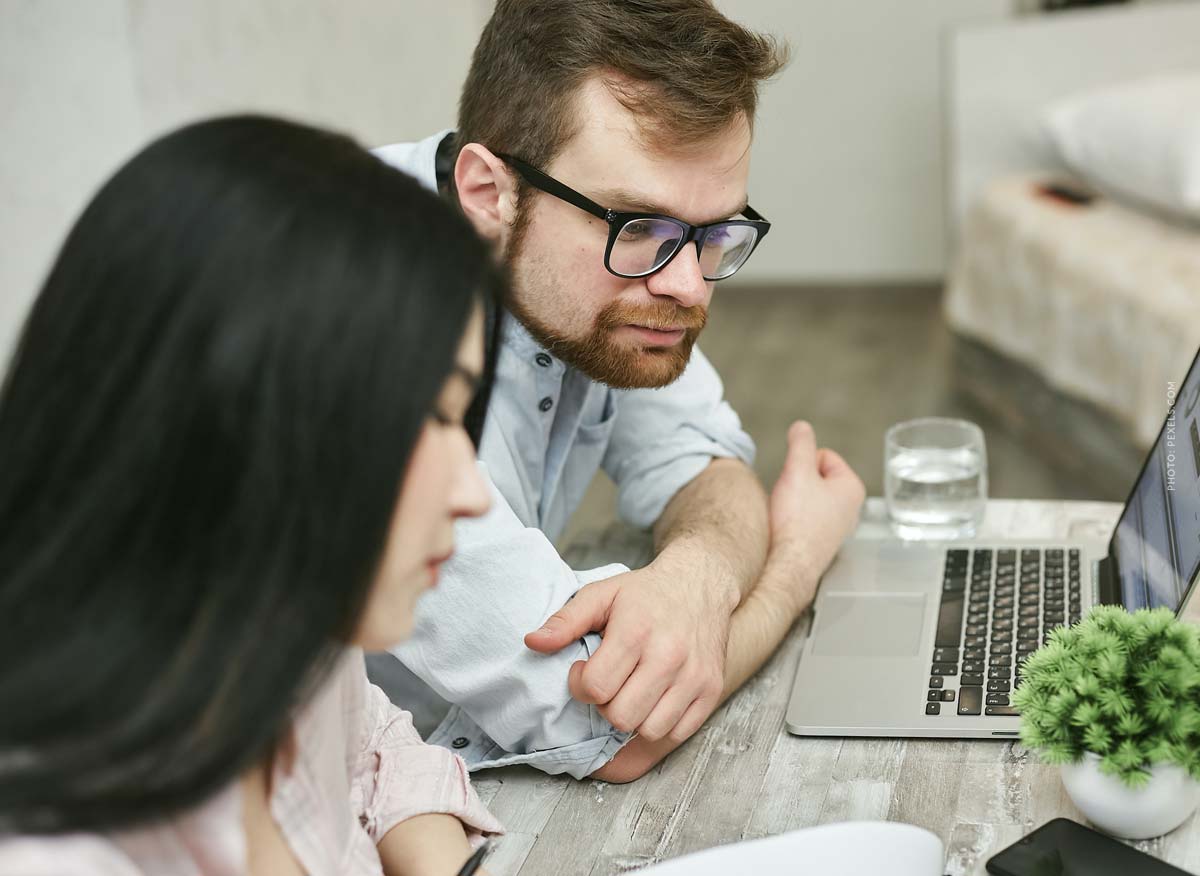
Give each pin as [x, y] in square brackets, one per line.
[233, 449]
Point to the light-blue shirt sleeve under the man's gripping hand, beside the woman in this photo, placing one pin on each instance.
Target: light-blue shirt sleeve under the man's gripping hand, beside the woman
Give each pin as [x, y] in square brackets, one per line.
[503, 581]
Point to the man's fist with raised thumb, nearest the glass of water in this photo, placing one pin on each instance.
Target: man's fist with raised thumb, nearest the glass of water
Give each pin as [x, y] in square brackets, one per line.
[813, 508]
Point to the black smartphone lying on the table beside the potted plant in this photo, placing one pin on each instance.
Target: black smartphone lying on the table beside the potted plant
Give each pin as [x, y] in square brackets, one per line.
[1063, 848]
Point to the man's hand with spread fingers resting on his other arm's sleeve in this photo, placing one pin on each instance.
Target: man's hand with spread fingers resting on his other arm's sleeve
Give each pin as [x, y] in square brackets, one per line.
[661, 669]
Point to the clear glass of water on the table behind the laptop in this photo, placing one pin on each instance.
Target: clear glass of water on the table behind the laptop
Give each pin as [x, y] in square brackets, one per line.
[935, 478]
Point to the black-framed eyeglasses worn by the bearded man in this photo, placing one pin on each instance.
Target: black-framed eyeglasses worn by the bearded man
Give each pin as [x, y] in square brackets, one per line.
[641, 244]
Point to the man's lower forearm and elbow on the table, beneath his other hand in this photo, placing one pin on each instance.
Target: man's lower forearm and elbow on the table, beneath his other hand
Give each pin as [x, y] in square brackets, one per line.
[758, 627]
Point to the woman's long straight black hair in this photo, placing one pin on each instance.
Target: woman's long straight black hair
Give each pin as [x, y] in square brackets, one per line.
[203, 435]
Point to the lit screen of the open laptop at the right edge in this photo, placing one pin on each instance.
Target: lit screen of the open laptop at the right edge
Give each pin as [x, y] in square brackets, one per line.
[1156, 547]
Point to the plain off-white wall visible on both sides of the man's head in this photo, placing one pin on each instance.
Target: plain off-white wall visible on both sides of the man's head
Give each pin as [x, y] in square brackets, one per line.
[848, 163]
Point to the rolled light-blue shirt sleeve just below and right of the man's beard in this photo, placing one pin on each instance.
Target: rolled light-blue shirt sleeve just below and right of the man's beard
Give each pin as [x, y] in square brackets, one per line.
[665, 437]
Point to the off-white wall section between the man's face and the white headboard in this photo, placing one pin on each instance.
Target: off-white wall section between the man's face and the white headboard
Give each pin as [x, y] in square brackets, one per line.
[849, 159]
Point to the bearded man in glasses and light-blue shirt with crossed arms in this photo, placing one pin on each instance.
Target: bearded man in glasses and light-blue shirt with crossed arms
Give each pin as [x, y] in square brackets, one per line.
[604, 148]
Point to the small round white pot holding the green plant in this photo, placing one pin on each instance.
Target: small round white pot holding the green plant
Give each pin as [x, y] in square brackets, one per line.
[1159, 807]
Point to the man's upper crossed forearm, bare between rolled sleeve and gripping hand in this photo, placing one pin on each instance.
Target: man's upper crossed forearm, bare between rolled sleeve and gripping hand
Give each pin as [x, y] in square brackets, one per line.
[716, 529]
